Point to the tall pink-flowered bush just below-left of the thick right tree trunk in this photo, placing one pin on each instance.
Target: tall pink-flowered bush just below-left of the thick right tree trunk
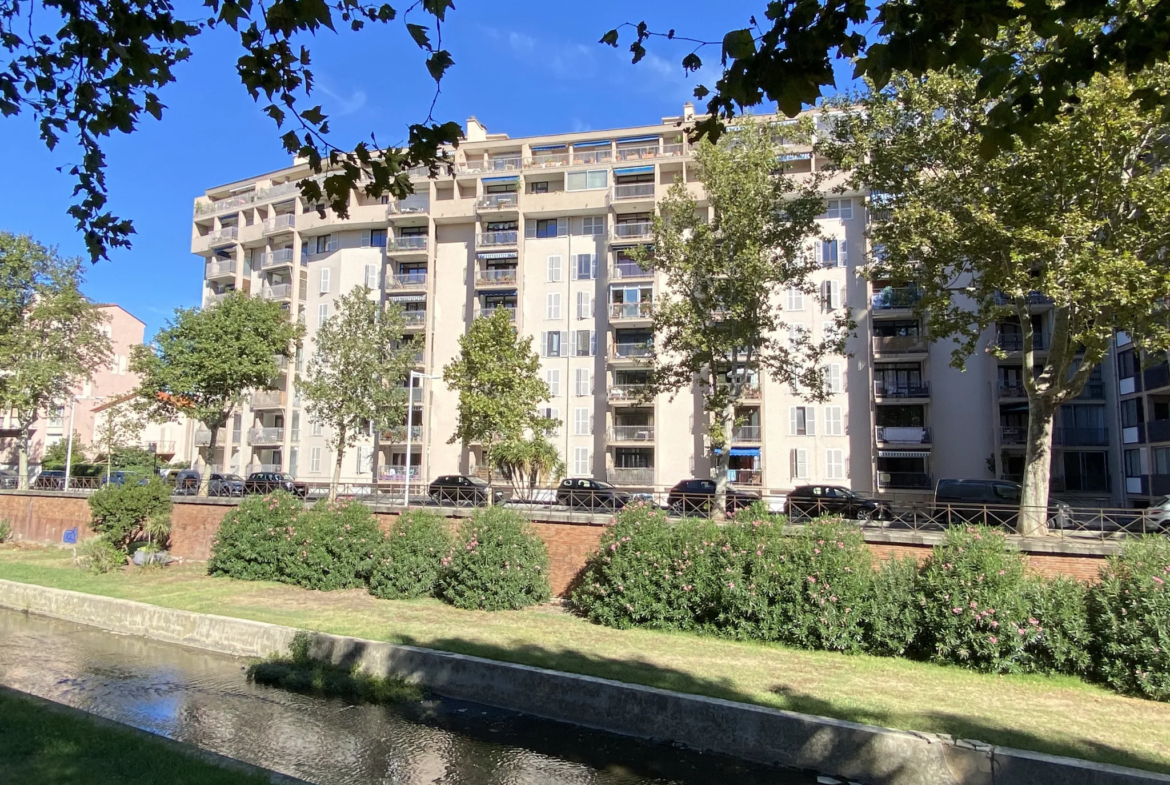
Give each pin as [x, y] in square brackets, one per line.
[974, 610]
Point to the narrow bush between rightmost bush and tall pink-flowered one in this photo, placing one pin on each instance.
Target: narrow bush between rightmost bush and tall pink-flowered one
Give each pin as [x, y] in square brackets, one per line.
[1062, 608]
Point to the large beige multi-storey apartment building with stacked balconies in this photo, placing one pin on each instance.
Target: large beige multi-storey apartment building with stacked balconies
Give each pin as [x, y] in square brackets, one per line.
[543, 228]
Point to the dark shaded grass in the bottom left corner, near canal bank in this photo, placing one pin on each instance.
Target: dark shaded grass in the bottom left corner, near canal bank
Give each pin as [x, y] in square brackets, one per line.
[44, 746]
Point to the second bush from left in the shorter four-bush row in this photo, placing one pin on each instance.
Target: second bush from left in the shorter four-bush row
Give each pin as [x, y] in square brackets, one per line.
[334, 547]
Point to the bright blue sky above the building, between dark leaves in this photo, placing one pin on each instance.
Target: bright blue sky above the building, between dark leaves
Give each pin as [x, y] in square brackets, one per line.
[521, 67]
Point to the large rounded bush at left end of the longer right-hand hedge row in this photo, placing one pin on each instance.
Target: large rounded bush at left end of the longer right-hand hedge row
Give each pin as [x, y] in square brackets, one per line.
[649, 571]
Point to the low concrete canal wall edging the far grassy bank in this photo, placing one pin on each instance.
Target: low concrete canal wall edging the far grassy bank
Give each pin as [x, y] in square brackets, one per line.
[866, 754]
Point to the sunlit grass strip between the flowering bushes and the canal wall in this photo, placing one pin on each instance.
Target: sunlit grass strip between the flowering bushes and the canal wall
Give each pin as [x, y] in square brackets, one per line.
[1059, 715]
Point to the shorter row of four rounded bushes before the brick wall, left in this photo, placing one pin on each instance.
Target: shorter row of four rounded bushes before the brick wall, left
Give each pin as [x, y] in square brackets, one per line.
[495, 562]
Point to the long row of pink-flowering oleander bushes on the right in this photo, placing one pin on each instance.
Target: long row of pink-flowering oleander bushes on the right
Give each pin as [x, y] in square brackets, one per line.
[973, 603]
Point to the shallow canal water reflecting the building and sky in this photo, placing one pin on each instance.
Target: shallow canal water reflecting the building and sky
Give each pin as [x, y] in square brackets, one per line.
[204, 699]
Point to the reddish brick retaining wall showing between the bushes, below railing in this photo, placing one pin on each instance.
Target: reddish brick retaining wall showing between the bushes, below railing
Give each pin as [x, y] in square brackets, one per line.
[45, 517]
